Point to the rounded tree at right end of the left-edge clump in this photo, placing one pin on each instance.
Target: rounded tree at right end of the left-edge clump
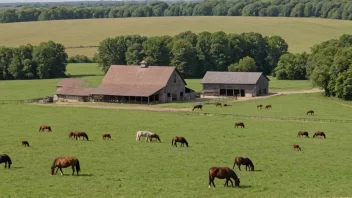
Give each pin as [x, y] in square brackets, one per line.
[51, 60]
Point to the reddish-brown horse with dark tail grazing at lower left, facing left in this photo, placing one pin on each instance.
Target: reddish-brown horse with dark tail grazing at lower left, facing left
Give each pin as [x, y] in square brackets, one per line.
[64, 162]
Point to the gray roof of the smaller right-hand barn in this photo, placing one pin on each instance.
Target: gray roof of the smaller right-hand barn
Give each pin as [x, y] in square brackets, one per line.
[246, 78]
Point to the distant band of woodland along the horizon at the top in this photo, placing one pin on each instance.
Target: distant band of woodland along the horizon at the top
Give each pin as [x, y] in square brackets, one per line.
[333, 9]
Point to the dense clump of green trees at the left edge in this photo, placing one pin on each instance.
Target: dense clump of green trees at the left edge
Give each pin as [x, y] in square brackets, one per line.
[47, 60]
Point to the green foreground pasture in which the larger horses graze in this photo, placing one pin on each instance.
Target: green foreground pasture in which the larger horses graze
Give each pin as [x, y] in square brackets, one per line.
[125, 168]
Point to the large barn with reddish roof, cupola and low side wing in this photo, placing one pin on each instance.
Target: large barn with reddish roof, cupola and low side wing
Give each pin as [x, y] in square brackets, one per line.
[135, 84]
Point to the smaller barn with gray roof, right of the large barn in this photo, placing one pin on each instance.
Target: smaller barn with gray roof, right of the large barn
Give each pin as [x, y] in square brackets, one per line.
[242, 84]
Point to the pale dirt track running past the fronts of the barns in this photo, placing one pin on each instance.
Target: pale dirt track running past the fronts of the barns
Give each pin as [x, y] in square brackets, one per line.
[160, 109]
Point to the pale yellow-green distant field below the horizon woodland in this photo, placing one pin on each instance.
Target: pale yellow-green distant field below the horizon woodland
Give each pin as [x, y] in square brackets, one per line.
[300, 33]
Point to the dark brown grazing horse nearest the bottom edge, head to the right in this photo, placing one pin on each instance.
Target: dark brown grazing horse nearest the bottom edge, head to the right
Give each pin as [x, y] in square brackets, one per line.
[223, 173]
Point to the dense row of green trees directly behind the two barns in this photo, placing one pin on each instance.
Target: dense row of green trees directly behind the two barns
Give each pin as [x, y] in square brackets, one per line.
[194, 54]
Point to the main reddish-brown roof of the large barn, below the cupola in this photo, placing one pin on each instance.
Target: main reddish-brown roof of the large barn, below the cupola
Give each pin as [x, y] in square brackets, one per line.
[134, 80]
